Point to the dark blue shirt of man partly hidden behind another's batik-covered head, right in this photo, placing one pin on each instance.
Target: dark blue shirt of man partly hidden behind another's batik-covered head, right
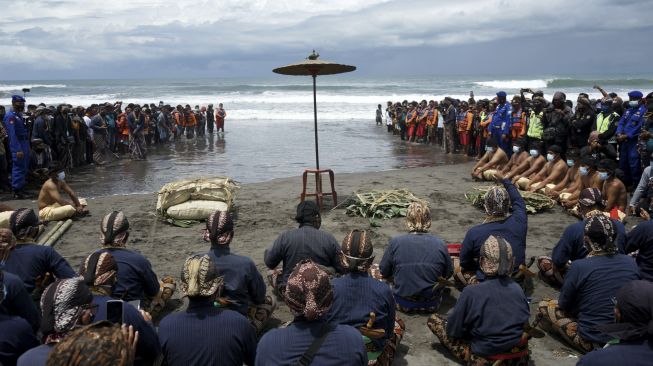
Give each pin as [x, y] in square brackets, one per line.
[571, 247]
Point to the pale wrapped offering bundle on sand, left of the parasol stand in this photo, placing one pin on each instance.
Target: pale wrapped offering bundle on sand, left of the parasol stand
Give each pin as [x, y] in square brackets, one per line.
[195, 199]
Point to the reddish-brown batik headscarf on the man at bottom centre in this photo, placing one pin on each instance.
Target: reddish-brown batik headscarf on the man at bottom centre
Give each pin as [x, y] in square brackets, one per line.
[309, 293]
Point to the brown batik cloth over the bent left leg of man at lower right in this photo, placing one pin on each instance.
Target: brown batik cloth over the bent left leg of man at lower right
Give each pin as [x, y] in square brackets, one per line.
[553, 320]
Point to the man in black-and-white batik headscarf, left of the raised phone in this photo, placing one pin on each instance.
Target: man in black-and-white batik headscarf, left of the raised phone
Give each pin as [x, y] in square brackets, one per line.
[66, 304]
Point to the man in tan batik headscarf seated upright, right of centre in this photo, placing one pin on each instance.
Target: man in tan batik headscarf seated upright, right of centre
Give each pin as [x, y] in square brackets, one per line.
[416, 263]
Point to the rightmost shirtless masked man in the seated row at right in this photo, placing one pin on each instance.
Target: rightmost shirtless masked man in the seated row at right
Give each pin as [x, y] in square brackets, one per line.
[613, 190]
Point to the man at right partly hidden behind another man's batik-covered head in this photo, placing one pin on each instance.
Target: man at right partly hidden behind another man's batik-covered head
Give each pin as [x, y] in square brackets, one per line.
[571, 245]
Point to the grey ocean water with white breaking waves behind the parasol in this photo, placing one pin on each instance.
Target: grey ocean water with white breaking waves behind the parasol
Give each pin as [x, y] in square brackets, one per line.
[270, 122]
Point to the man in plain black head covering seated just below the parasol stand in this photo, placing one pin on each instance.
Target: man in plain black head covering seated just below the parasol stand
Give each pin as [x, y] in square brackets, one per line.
[306, 242]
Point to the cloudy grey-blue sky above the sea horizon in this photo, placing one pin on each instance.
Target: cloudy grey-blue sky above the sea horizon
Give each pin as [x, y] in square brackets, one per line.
[60, 39]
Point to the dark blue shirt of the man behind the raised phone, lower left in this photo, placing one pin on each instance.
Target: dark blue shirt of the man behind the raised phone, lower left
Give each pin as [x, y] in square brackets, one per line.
[148, 347]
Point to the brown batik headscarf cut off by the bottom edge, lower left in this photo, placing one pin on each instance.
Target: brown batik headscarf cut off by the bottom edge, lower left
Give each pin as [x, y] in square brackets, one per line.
[97, 344]
